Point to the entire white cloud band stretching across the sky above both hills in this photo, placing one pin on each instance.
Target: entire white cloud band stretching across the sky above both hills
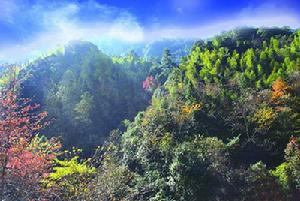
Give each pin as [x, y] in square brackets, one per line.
[46, 24]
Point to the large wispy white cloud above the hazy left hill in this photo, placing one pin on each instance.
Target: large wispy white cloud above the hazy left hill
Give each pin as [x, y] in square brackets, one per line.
[58, 23]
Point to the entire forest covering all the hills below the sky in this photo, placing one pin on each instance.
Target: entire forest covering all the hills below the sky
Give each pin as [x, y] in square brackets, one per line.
[206, 120]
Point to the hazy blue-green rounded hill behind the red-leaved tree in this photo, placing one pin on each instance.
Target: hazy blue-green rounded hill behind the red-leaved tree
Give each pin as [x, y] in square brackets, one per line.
[85, 93]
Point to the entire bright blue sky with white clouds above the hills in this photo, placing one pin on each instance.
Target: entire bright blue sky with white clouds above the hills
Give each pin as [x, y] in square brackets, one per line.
[31, 26]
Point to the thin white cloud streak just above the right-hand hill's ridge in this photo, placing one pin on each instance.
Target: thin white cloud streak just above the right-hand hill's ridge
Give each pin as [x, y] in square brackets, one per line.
[265, 15]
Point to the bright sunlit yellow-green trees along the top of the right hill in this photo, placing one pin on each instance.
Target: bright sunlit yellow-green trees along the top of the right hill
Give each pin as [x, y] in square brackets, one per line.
[258, 61]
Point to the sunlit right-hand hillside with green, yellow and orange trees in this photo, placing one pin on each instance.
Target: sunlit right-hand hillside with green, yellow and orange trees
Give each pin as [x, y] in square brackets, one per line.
[224, 126]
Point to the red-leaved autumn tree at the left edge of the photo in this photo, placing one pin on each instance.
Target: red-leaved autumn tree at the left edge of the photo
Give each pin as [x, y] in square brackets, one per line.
[25, 158]
